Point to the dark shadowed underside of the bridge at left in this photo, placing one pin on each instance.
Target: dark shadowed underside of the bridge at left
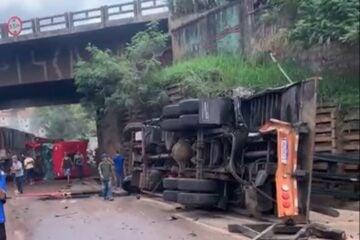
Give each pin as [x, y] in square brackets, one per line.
[39, 94]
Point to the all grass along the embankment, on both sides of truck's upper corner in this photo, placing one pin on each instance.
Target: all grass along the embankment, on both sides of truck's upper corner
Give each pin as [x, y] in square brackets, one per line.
[210, 75]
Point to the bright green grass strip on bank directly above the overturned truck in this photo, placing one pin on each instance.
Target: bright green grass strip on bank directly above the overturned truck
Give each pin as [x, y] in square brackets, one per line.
[210, 75]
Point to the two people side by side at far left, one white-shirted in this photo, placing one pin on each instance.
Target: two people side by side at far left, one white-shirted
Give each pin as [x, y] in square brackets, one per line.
[22, 171]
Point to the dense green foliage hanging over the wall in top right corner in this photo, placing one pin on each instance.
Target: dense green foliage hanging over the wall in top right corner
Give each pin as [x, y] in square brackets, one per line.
[318, 21]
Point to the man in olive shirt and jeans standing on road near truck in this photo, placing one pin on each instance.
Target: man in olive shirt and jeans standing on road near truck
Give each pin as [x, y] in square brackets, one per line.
[106, 172]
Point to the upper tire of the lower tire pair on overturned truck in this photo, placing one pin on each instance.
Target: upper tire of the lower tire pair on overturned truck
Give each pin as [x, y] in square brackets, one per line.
[197, 185]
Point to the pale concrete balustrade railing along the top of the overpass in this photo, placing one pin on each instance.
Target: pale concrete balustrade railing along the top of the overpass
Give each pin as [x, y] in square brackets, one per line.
[135, 11]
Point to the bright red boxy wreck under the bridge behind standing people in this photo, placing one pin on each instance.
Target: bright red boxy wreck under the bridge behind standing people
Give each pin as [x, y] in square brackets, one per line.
[69, 147]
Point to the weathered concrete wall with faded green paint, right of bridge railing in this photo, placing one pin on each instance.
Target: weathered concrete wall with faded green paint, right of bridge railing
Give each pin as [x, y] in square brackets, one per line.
[215, 31]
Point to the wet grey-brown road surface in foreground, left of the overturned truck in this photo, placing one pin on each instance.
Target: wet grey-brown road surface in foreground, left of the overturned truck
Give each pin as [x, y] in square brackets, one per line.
[94, 219]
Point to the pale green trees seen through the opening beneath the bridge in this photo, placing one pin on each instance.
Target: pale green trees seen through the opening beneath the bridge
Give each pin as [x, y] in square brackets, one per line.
[65, 121]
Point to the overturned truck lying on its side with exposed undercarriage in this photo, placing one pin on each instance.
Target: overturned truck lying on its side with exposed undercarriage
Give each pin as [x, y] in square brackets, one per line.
[252, 152]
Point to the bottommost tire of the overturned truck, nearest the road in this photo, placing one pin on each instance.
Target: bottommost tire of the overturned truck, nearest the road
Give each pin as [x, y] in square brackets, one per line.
[198, 199]
